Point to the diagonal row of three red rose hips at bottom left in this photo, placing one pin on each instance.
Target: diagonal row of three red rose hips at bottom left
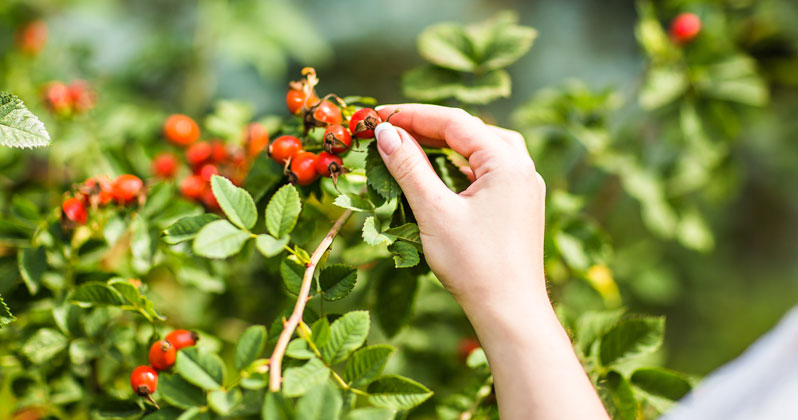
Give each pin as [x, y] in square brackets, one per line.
[162, 356]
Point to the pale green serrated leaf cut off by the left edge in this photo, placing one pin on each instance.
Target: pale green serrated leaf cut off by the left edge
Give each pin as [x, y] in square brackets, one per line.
[18, 126]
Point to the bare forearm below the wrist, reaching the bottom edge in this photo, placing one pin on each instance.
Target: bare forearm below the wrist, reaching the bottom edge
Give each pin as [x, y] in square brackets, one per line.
[535, 371]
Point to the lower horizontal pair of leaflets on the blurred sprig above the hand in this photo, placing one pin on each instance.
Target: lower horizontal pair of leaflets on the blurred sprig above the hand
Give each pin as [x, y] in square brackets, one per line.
[434, 84]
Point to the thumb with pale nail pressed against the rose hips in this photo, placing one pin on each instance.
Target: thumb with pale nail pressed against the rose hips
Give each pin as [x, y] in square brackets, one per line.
[408, 164]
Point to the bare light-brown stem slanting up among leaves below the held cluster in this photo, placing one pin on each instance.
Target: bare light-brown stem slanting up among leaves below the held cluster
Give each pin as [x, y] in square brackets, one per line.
[289, 326]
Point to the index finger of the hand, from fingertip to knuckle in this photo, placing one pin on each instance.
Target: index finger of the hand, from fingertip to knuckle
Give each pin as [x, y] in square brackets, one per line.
[462, 132]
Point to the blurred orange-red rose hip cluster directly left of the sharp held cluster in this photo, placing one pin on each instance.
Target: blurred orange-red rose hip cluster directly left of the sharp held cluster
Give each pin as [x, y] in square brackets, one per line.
[207, 158]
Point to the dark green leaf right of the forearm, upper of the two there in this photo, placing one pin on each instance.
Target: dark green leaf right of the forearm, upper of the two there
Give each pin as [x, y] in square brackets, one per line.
[631, 337]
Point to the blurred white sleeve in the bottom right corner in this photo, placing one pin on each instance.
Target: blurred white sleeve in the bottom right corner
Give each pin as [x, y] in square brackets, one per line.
[761, 384]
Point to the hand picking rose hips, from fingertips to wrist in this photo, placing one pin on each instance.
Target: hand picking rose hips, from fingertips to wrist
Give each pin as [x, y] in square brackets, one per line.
[486, 243]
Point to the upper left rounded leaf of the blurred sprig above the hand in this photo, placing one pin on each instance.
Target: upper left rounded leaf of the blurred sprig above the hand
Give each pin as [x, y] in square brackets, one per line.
[447, 45]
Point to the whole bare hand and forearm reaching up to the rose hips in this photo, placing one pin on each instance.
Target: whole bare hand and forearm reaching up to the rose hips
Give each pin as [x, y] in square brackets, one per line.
[486, 247]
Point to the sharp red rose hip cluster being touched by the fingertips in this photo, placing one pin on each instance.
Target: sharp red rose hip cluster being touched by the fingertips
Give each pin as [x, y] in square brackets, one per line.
[303, 167]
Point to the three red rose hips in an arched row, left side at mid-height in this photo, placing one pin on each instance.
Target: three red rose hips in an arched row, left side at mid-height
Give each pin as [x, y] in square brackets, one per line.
[100, 191]
